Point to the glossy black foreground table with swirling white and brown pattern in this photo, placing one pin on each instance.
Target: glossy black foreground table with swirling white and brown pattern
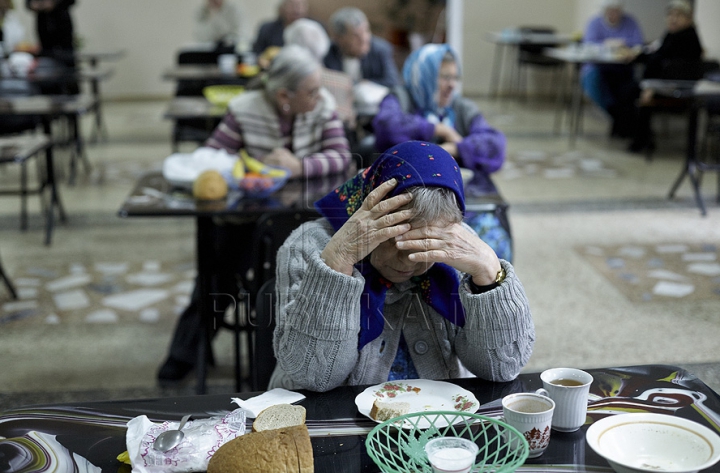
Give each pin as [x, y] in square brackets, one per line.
[90, 436]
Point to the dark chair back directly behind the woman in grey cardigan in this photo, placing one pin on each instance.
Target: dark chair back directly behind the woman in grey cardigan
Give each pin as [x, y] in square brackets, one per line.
[263, 353]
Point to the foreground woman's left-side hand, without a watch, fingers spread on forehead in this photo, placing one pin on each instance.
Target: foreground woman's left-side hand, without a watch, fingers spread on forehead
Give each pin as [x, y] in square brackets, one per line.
[376, 221]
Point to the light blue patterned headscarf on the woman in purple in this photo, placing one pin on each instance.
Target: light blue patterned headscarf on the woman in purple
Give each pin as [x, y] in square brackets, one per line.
[420, 74]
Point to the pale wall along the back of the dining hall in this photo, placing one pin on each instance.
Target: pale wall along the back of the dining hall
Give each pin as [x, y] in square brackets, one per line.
[151, 31]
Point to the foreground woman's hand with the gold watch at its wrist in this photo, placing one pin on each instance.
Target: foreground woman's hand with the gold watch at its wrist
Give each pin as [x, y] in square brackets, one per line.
[455, 246]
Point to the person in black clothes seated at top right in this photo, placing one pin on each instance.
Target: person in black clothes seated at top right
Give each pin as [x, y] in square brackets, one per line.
[678, 56]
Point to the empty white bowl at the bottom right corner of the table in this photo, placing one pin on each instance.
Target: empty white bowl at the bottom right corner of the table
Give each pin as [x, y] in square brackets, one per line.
[639, 443]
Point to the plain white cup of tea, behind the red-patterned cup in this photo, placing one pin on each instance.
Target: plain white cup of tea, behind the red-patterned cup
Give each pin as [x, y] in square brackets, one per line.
[569, 388]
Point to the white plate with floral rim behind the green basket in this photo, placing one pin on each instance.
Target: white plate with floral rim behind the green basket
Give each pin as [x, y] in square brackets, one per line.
[422, 395]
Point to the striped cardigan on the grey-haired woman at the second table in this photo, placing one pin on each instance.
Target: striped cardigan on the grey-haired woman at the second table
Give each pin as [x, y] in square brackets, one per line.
[317, 137]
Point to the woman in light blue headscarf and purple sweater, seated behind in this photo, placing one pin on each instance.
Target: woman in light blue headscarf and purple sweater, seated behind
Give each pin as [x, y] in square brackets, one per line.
[429, 108]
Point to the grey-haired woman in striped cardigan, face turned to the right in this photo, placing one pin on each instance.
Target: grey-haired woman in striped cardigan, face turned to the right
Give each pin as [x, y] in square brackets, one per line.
[291, 121]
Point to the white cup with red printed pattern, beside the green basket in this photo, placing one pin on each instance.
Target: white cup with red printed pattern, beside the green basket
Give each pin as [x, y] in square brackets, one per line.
[531, 414]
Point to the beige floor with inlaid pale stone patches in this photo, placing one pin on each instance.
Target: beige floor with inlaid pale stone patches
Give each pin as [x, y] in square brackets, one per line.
[575, 214]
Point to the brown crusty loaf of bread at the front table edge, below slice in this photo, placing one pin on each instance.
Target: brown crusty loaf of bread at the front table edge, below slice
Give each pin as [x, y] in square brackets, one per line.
[270, 451]
